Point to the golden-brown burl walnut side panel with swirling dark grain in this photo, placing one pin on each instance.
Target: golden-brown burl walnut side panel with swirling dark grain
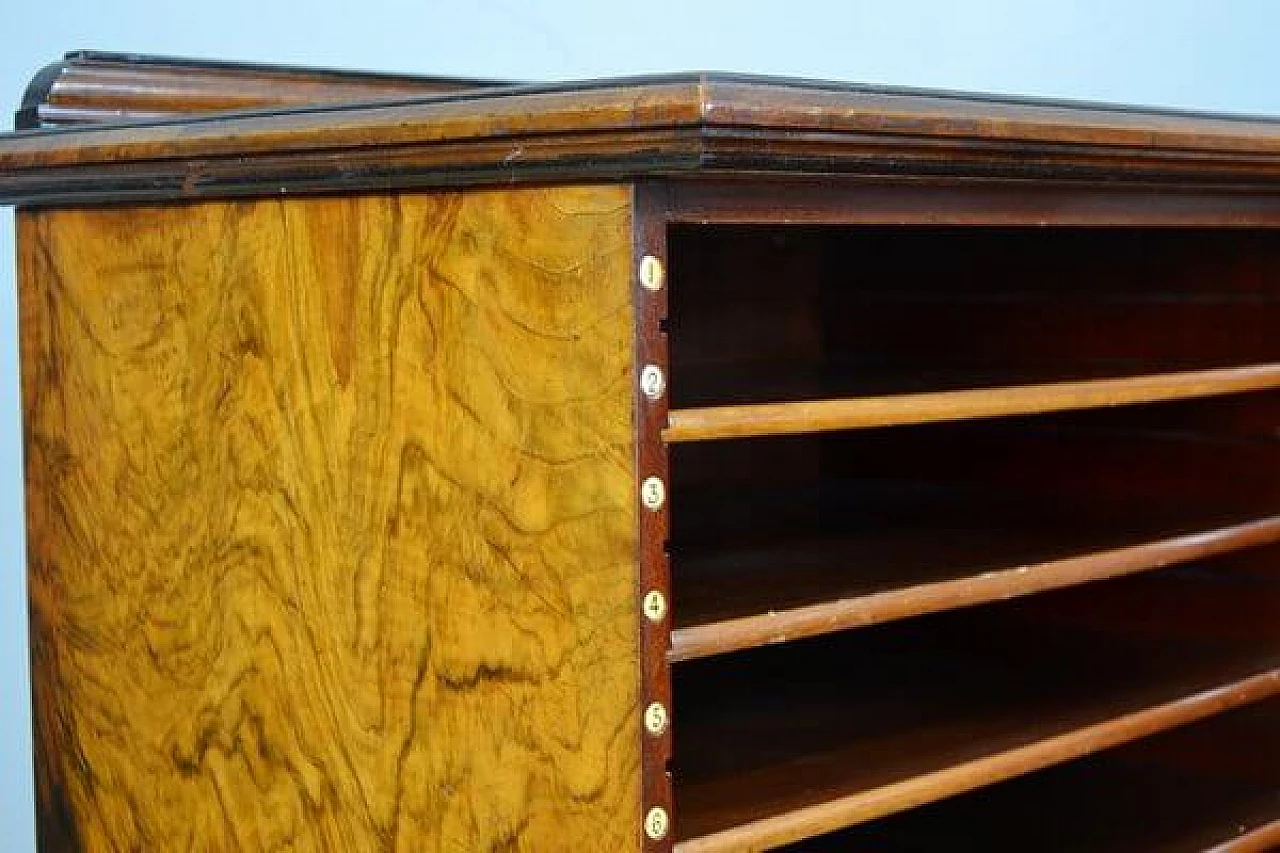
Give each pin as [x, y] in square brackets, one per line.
[332, 523]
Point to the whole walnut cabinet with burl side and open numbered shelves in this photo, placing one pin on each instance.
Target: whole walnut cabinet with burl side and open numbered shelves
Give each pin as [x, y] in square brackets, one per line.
[694, 463]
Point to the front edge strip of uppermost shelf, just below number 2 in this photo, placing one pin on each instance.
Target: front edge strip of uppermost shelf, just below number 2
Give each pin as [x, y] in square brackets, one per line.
[861, 413]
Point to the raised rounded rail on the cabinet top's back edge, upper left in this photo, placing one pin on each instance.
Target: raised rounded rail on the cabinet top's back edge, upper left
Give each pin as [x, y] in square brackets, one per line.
[93, 88]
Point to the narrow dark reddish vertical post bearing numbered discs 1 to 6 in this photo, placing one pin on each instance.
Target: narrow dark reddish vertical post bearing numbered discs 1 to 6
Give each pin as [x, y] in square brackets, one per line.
[651, 348]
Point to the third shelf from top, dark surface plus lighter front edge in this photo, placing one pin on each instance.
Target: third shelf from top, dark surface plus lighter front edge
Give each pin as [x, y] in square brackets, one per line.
[792, 742]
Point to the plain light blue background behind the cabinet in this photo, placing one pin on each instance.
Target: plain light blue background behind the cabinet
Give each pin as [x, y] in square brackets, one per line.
[1222, 56]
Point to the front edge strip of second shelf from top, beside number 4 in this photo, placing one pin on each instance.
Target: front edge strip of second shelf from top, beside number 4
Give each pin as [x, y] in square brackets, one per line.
[799, 623]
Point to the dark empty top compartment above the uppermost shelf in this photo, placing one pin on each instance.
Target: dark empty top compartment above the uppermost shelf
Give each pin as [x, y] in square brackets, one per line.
[877, 312]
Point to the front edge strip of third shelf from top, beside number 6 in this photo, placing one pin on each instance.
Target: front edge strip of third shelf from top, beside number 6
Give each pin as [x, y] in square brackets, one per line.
[863, 806]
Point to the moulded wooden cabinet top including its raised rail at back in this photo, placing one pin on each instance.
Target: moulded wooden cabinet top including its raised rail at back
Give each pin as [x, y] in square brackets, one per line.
[292, 130]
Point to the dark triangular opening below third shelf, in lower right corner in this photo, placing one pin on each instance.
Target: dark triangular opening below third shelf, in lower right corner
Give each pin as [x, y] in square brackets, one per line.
[1212, 786]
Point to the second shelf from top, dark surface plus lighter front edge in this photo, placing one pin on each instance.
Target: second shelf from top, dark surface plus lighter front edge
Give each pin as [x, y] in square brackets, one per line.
[751, 597]
